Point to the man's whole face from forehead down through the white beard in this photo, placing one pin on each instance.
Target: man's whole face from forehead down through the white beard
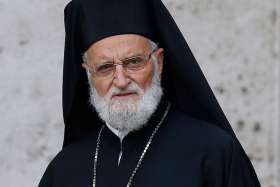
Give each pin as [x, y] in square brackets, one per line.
[127, 99]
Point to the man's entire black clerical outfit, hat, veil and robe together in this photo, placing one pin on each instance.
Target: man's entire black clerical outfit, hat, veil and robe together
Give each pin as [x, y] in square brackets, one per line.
[195, 145]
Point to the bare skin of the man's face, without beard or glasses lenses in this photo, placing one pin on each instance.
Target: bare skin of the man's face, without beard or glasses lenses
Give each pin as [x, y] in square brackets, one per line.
[121, 47]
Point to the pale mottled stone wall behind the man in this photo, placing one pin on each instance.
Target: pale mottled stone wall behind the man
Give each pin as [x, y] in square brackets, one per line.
[236, 42]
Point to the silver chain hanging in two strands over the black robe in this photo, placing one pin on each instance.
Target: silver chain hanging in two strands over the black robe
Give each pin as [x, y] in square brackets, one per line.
[141, 157]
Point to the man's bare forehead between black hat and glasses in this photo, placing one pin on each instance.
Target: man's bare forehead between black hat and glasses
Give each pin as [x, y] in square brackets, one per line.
[119, 46]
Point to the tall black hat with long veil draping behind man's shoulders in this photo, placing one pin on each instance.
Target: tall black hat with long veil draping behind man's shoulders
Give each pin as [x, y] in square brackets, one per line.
[87, 21]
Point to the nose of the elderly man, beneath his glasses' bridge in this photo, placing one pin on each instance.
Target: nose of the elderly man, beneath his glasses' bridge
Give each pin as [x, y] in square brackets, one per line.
[120, 78]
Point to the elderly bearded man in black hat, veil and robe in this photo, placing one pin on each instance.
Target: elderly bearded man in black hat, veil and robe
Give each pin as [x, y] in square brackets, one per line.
[151, 119]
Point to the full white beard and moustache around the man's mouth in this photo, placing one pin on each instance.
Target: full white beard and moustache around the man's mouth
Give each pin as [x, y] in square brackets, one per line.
[126, 115]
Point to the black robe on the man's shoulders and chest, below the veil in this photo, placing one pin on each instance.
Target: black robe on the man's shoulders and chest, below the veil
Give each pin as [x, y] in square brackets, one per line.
[185, 152]
